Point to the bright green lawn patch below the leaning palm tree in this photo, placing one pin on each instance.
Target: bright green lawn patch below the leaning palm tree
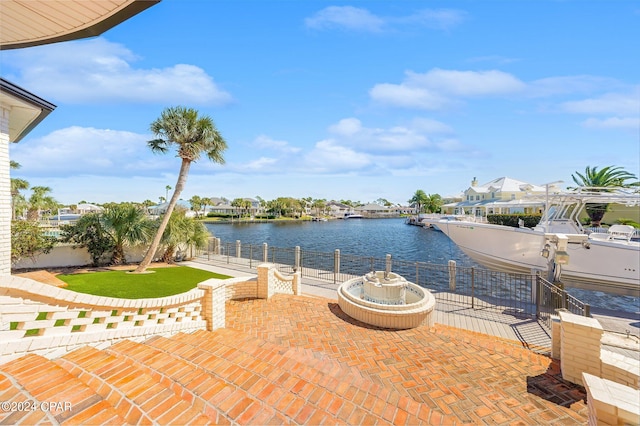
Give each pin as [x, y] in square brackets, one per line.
[162, 282]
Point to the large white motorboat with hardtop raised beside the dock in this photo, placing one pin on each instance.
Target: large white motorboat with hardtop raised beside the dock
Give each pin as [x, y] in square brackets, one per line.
[608, 262]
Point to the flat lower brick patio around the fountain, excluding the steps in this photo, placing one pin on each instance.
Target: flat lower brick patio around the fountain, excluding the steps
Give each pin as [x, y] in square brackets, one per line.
[438, 375]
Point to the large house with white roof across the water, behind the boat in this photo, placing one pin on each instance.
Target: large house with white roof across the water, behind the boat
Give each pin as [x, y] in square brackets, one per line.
[499, 196]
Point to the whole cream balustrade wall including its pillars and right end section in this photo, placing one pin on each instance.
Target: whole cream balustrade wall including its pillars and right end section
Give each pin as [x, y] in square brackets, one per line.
[51, 321]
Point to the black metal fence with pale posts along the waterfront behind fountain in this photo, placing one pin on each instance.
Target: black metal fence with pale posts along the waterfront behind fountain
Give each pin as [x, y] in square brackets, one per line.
[526, 295]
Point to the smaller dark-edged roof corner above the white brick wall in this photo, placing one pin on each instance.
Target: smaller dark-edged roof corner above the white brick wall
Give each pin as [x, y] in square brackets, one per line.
[26, 110]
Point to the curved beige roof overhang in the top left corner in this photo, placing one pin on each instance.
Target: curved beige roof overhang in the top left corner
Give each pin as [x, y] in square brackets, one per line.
[27, 23]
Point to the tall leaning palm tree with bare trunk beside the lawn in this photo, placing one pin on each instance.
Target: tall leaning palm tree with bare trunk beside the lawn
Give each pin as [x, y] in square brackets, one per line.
[193, 135]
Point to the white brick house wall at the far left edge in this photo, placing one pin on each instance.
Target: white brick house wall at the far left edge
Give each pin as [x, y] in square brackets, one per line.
[5, 195]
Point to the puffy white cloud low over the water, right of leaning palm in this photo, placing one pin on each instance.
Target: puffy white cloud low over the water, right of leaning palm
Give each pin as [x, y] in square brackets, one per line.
[353, 147]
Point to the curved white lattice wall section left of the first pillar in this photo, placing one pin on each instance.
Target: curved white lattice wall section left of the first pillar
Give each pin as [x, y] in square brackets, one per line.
[50, 321]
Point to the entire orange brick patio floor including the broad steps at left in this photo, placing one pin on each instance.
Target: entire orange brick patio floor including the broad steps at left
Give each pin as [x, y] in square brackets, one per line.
[297, 360]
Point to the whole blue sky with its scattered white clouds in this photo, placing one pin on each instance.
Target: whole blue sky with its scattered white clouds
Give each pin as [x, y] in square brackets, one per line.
[351, 100]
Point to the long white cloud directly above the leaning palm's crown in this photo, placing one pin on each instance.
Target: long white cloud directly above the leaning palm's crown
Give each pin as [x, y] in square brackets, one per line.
[97, 70]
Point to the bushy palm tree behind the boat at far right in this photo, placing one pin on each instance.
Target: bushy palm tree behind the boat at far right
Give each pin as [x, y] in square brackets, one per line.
[600, 180]
